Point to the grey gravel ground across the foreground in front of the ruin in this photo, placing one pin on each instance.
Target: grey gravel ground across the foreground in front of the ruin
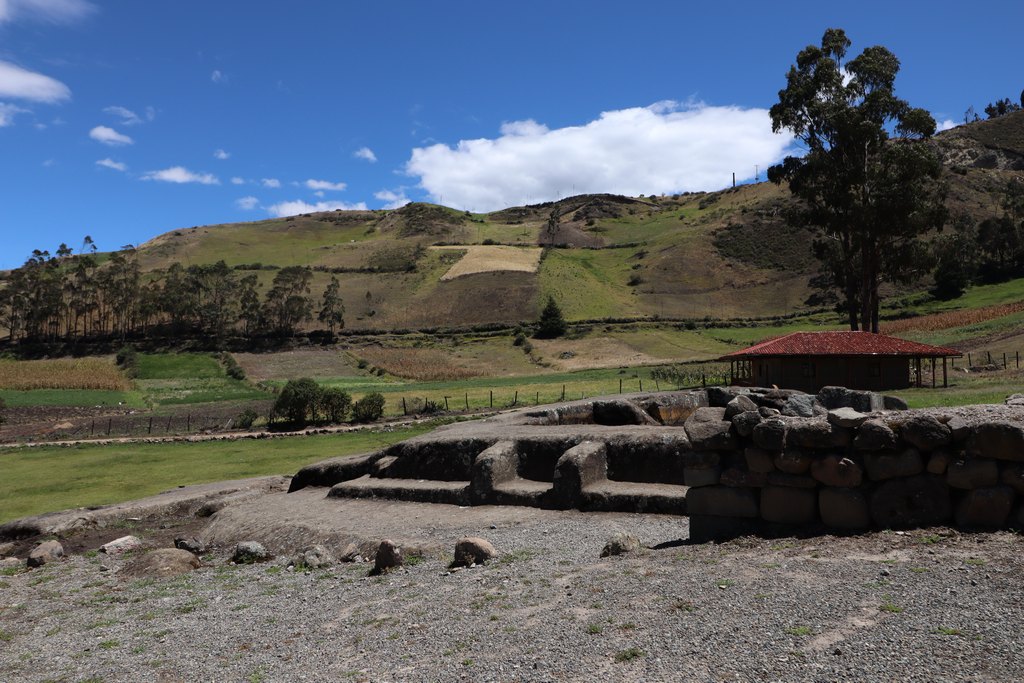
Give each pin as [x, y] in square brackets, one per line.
[926, 606]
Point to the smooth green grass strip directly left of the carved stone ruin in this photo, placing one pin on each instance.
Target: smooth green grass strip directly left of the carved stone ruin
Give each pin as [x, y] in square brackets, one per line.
[50, 479]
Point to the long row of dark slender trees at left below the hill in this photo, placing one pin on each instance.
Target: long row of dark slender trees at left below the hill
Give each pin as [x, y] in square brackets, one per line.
[76, 297]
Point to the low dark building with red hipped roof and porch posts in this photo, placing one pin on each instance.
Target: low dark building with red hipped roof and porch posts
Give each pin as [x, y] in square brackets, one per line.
[809, 361]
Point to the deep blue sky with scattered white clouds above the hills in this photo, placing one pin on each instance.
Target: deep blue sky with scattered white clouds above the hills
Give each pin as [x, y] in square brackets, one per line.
[125, 119]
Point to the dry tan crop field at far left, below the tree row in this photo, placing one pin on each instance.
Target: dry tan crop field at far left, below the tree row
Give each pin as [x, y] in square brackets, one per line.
[63, 374]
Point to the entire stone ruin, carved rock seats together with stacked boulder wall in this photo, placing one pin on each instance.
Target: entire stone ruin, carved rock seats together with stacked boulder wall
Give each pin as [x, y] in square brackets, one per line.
[735, 460]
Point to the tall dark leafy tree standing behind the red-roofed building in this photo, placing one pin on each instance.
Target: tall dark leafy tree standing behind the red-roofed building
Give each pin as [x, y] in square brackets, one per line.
[871, 196]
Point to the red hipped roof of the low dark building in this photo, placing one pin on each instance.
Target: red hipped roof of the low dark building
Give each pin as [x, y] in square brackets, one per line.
[840, 344]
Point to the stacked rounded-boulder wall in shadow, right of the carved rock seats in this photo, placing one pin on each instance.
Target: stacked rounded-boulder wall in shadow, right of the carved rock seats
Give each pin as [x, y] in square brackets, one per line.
[851, 471]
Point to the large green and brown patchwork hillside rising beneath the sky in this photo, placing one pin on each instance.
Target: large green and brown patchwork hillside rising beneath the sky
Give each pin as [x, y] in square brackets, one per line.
[723, 255]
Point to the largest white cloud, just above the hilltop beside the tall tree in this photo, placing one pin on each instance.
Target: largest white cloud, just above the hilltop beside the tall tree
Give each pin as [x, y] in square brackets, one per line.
[666, 148]
